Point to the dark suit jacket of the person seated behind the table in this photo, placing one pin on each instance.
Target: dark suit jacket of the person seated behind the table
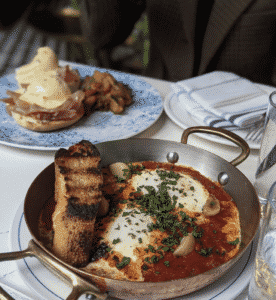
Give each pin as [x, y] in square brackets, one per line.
[240, 36]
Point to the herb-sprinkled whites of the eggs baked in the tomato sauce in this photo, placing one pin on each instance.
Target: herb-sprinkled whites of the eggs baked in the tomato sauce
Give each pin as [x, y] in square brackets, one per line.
[130, 229]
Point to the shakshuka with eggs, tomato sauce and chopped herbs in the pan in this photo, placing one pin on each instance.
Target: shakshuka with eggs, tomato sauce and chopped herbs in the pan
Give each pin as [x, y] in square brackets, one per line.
[164, 222]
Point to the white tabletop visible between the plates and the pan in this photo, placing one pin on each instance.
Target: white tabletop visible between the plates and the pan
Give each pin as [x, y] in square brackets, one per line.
[19, 167]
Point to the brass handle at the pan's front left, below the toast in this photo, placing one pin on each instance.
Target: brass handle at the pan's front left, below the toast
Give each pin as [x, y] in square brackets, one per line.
[80, 285]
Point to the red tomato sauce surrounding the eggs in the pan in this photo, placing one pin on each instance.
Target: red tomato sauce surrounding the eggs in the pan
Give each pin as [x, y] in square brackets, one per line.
[215, 240]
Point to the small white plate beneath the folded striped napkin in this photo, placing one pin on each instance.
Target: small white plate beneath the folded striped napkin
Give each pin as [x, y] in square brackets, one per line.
[175, 111]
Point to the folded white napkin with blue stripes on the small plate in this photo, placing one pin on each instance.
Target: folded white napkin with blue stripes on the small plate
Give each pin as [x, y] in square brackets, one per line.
[222, 99]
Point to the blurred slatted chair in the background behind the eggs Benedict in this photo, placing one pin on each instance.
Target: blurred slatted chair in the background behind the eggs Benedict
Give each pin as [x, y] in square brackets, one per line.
[56, 27]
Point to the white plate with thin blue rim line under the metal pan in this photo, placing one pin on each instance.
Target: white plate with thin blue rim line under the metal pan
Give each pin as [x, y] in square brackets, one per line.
[49, 287]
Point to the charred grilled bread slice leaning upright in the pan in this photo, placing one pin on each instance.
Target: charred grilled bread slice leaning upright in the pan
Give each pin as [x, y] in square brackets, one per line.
[78, 194]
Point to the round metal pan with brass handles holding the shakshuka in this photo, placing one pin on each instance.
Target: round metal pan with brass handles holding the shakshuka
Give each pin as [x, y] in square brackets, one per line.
[133, 149]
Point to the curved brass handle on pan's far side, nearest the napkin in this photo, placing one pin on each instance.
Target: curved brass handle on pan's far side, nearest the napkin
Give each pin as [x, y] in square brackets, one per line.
[222, 133]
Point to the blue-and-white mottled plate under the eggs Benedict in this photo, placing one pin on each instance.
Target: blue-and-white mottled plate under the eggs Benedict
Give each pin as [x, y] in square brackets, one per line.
[99, 127]
